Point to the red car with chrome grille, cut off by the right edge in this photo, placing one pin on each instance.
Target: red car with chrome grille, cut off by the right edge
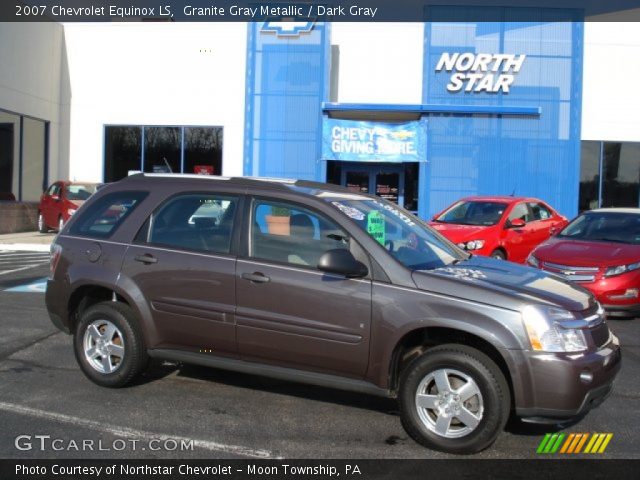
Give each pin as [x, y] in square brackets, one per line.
[599, 250]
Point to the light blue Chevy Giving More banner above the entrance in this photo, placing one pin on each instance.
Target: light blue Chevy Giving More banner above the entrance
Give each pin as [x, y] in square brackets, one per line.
[374, 141]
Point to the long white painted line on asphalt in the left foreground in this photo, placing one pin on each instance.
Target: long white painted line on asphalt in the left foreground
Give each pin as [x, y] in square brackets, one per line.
[126, 432]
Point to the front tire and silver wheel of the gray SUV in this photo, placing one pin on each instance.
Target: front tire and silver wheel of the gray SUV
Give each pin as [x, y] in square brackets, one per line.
[454, 399]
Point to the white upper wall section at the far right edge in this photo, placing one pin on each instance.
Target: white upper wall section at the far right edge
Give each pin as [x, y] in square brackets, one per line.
[610, 103]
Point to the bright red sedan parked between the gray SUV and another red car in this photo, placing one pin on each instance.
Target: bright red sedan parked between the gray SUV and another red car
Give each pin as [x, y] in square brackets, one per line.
[506, 228]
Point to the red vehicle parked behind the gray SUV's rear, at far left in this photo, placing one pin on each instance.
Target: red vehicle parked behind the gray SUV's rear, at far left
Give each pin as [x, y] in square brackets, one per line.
[60, 201]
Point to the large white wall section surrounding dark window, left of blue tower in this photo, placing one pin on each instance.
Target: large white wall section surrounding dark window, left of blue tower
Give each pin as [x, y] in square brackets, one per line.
[154, 74]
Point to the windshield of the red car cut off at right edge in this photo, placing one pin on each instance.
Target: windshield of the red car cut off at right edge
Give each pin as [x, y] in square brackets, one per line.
[605, 227]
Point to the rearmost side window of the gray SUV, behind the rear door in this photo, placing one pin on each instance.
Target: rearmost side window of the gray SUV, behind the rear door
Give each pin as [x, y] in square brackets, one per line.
[103, 217]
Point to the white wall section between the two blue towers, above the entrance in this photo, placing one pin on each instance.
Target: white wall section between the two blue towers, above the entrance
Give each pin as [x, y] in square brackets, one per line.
[379, 62]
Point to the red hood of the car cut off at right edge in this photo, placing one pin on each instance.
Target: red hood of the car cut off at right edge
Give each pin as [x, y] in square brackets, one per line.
[581, 253]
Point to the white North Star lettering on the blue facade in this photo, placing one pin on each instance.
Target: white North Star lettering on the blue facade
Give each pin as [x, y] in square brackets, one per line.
[480, 72]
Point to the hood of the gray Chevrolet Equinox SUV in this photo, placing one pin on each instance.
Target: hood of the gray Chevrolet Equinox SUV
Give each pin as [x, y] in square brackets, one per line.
[505, 284]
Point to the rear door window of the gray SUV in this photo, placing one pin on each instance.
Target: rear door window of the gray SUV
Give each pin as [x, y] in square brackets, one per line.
[194, 221]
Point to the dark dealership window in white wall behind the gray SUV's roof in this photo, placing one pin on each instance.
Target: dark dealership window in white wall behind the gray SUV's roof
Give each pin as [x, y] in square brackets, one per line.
[161, 149]
